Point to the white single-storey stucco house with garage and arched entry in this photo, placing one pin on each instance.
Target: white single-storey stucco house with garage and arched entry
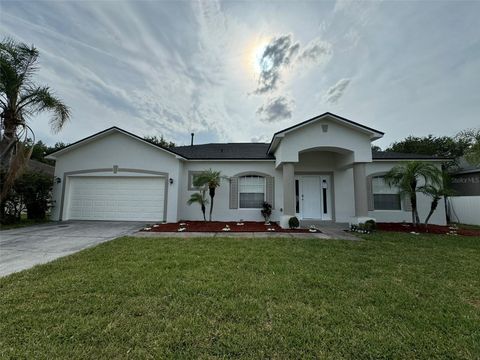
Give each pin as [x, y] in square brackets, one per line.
[321, 169]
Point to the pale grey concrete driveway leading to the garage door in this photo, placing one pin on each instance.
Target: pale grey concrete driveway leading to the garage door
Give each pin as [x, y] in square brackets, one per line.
[29, 246]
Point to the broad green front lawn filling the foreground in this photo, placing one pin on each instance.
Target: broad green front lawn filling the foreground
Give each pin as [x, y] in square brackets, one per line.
[390, 296]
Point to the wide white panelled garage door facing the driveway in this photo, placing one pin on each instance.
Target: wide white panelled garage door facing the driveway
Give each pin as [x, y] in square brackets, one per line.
[116, 198]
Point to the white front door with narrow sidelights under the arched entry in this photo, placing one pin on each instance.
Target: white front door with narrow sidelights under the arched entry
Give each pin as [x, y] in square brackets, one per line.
[313, 193]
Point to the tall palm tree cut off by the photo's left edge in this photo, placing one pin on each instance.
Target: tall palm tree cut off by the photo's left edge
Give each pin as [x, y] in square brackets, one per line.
[20, 100]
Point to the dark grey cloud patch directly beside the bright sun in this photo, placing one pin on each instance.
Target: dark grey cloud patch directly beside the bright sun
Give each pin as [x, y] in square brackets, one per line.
[278, 54]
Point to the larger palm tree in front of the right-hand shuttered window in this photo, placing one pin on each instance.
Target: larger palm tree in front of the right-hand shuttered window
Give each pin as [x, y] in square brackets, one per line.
[407, 176]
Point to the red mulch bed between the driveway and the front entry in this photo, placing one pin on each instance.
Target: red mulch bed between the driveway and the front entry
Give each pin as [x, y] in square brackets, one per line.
[217, 226]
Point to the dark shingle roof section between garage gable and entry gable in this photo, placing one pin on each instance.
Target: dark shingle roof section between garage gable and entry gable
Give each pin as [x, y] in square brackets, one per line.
[219, 151]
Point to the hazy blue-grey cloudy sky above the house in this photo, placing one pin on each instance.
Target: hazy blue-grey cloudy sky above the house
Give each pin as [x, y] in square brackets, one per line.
[238, 71]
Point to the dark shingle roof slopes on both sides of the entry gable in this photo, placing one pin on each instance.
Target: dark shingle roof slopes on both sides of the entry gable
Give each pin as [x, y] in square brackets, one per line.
[258, 151]
